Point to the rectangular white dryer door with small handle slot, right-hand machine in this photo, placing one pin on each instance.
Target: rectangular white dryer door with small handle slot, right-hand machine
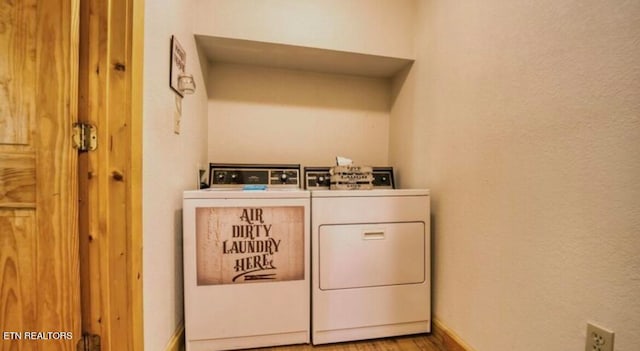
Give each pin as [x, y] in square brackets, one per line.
[369, 255]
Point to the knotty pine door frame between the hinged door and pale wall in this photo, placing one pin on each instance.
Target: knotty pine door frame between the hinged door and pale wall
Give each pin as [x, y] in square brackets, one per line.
[110, 212]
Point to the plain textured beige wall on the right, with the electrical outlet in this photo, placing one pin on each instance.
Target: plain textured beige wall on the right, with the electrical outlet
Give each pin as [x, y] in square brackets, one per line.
[529, 129]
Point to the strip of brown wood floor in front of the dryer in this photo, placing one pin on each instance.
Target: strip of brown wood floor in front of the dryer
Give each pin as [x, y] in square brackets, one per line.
[422, 342]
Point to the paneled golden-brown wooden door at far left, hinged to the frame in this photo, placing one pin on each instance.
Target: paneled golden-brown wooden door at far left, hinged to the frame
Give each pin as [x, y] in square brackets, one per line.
[39, 264]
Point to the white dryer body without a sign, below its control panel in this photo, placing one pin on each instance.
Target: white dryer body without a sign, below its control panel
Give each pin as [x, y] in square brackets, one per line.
[370, 264]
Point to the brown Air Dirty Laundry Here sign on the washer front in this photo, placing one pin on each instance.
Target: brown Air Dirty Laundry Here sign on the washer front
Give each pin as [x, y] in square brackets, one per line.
[249, 244]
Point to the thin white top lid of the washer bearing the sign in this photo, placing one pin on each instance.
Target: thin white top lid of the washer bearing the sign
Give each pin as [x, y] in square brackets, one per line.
[219, 193]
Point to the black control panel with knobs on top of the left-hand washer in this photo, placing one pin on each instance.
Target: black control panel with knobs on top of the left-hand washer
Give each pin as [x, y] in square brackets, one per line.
[233, 175]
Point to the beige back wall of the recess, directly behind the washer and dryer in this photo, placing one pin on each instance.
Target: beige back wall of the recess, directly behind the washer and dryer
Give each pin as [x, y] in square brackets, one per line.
[266, 115]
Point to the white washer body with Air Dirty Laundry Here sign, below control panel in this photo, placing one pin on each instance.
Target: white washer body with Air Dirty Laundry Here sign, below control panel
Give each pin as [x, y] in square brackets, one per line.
[246, 268]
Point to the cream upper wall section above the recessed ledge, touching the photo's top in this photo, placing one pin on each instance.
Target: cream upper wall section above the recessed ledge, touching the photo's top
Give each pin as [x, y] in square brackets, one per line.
[381, 27]
